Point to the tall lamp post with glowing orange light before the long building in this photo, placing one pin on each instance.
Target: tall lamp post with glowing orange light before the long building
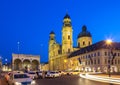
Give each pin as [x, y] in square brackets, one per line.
[109, 43]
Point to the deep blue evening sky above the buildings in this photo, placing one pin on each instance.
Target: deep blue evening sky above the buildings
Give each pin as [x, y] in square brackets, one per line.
[30, 22]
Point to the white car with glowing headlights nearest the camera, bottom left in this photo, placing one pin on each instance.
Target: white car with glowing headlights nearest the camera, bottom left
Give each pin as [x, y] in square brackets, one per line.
[21, 79]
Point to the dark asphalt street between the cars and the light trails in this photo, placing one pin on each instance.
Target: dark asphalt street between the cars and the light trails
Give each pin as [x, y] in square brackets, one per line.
[68, 80]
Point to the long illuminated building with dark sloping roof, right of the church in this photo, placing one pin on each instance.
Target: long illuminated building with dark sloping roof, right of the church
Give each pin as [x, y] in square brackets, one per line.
[96, 58]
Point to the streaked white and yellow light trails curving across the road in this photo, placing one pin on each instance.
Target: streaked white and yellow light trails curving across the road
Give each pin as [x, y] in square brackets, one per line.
[114, 79]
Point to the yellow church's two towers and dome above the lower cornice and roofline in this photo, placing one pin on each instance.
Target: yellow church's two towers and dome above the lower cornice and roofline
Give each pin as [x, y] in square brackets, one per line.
[84, 39]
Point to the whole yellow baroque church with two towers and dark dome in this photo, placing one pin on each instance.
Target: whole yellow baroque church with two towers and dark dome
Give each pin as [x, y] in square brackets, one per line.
[58, 53]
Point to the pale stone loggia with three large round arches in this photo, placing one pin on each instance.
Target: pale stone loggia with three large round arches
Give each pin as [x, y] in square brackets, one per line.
[22, 61]
